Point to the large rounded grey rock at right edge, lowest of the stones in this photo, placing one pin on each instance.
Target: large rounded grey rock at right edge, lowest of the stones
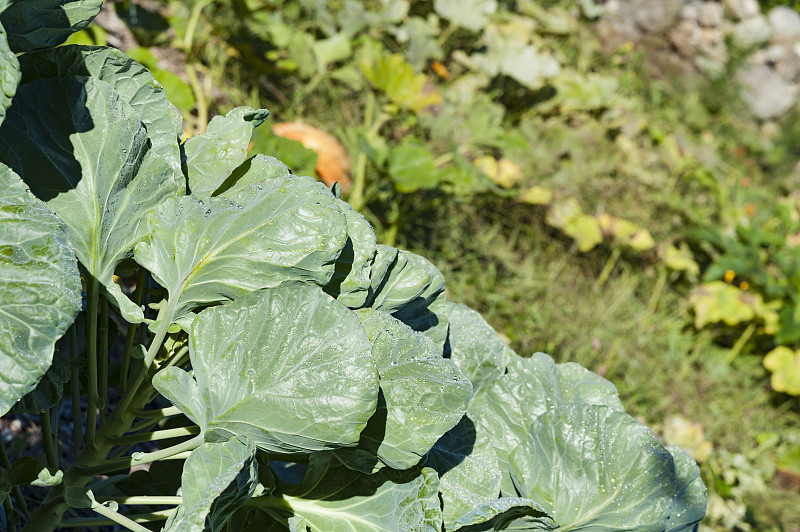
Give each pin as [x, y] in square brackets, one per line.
[767, 94]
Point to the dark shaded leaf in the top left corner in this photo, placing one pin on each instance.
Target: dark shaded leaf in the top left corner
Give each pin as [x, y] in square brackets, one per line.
[33, 24]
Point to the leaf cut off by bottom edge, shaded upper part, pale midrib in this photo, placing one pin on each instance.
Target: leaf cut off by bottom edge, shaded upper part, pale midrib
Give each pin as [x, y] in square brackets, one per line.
[335, 499]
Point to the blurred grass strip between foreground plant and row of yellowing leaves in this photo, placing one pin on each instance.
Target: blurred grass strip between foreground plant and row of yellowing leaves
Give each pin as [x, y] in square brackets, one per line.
[543, 295]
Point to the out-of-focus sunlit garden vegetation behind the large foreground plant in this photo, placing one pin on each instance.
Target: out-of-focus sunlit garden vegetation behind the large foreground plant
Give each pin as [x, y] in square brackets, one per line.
[602, 188]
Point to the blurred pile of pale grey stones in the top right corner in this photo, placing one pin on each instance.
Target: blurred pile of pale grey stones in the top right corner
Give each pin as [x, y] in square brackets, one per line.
[702, 35]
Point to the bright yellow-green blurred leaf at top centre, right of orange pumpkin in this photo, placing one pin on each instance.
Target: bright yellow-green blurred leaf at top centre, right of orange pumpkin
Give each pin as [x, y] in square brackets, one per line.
[394, 76]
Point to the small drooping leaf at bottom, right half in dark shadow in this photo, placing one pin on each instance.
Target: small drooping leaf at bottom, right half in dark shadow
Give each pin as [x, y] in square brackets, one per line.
[217, 479]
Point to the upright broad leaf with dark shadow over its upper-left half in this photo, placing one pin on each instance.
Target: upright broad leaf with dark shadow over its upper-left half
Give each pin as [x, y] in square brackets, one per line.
[85, 151]
